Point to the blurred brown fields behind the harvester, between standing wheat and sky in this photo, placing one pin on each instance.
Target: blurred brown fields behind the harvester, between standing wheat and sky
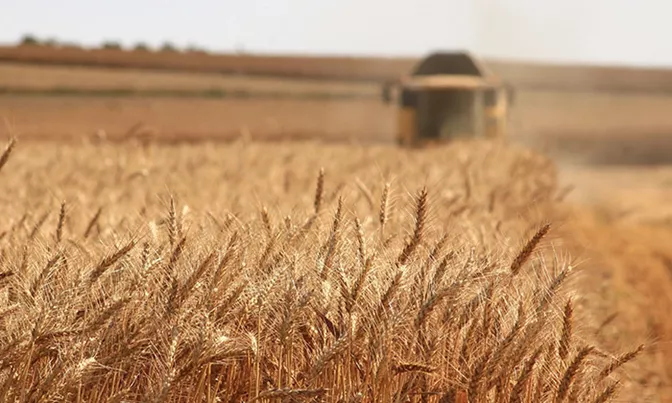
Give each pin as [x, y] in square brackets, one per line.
[597, 113]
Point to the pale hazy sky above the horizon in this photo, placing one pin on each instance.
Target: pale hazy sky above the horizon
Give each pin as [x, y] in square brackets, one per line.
[625, 32]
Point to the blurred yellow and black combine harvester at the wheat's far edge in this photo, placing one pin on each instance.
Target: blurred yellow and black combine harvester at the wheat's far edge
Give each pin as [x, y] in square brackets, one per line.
[448, 96]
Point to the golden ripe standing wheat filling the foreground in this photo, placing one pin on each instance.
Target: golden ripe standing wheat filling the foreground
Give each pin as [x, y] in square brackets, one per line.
[290, 272]
